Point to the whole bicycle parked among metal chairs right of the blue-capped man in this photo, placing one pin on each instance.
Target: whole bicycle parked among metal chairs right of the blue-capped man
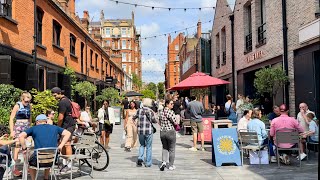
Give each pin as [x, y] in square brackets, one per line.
[99, 152]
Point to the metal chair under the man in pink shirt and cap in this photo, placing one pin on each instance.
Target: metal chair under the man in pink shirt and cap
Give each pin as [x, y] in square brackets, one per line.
[286, 135]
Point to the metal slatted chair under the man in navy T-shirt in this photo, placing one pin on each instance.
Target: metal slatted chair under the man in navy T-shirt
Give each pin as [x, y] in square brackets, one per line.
[45, 156]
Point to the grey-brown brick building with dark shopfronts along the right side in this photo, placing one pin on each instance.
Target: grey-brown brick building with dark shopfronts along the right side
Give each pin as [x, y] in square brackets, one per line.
[258, 42]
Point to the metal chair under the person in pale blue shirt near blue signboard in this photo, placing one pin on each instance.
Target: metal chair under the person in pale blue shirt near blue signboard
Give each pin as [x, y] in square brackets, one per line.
[249, 141]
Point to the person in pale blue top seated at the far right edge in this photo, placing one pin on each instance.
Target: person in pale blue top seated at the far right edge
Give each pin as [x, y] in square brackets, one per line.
[312, 134]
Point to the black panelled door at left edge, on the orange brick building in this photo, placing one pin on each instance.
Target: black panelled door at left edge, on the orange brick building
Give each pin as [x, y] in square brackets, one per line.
[5, 69]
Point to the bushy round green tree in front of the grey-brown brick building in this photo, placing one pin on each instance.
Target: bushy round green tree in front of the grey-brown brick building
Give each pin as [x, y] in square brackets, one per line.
[270, 81]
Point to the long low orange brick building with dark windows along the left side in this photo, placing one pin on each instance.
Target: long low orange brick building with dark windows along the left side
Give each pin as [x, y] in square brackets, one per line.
[61, 39]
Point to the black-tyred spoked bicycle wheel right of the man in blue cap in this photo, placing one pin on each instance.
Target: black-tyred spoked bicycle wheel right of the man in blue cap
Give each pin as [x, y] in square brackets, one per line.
[100, 158]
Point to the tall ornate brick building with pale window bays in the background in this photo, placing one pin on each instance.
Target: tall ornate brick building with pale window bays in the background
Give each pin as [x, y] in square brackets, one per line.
[120, 39]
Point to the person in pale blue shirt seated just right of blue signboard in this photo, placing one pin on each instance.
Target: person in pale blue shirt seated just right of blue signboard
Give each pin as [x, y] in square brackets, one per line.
[255, 124]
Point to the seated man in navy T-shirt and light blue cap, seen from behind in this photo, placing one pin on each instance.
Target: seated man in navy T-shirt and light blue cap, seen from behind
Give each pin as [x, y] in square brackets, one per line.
[44, 136]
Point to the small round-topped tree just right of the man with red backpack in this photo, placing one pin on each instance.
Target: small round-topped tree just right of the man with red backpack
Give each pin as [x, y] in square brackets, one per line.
[85, 89]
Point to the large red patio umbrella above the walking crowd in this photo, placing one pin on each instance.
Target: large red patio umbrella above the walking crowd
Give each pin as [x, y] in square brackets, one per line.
[198, 80]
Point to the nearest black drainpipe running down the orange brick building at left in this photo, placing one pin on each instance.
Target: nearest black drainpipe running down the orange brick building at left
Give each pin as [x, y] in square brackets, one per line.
[35, 45]
